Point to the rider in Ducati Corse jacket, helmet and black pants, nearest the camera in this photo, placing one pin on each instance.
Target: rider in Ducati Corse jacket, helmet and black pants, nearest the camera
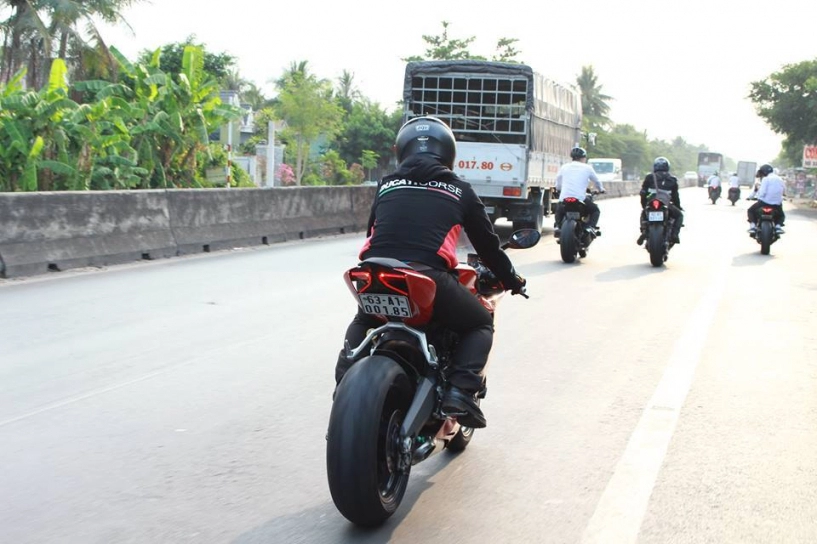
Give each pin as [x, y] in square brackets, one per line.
[417, 216]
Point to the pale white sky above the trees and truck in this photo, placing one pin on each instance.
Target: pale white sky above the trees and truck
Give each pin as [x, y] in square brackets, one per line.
[672, 69]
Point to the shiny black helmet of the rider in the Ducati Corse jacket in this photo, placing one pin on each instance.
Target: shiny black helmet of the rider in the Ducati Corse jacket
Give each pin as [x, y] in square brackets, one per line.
[426, 135]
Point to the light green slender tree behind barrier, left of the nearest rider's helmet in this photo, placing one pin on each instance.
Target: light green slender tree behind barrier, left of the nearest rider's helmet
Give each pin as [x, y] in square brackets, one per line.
[306, 104]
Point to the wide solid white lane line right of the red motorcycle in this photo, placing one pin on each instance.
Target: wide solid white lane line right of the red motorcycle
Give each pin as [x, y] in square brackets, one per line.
[620, 511]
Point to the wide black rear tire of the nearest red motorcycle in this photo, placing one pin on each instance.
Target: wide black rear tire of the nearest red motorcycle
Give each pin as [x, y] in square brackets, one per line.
[362, 442]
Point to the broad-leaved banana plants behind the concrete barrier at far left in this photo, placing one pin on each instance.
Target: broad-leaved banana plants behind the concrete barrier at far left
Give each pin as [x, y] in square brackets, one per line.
[144, 131]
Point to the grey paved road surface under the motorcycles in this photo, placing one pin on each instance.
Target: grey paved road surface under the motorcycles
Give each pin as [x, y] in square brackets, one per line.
[186, 400]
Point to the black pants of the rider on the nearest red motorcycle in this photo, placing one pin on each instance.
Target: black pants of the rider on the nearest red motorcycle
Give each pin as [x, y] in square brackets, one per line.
[455, 308]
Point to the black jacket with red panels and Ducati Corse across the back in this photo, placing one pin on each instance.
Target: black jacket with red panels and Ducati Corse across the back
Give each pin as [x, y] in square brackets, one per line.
[418, 214]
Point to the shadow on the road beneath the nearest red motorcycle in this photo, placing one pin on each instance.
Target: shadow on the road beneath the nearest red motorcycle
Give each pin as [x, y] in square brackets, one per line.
[325, 524]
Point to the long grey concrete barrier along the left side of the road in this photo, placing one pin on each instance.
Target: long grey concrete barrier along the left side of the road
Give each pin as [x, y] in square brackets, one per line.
[42, 232]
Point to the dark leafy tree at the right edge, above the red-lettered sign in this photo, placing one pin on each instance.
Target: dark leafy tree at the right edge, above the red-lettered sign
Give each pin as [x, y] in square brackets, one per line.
[787, 100]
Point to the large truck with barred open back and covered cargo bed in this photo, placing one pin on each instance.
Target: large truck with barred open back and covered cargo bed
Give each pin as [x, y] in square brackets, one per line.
[514, 129]
